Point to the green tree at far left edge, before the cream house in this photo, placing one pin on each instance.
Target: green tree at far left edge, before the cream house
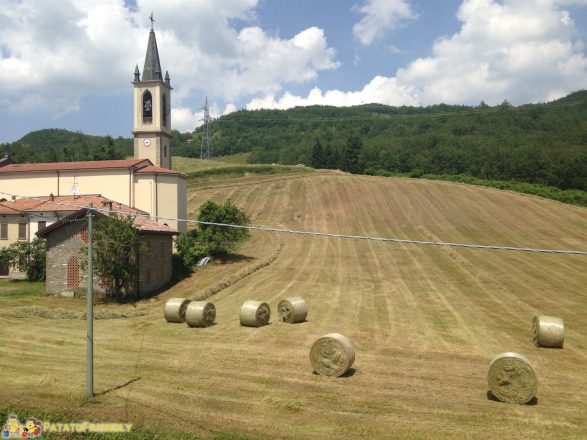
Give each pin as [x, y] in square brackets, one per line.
[27, 257]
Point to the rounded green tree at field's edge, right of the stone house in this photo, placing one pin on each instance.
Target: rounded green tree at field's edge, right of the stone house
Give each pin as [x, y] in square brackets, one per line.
[222, 240]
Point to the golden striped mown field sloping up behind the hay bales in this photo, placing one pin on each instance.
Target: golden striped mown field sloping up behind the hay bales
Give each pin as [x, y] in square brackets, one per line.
[425, 321]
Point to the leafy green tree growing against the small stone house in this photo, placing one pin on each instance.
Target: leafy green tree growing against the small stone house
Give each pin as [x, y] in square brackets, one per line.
[117, 245]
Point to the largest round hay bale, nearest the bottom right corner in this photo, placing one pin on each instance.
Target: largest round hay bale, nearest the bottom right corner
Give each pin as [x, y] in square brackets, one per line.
[512, 379]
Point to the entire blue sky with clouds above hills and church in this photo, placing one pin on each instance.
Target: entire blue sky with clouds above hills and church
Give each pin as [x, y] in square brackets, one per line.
[69, 64]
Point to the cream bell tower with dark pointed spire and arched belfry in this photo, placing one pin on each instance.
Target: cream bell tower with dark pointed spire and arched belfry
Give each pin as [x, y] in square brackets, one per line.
[152, 109]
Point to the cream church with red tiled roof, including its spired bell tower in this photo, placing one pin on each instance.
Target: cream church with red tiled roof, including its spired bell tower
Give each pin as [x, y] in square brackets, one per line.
[145, 182]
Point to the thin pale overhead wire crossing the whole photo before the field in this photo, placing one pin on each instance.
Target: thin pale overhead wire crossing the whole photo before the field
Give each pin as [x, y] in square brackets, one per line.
[328, 234]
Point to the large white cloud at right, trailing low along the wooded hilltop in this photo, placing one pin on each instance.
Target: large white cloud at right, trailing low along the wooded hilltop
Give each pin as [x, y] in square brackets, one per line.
[520, 50]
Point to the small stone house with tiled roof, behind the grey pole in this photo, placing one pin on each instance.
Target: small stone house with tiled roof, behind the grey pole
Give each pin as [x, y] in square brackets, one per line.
[67, 239]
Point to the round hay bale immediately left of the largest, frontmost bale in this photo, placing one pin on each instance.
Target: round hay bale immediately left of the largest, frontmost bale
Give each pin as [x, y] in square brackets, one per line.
[332, 355]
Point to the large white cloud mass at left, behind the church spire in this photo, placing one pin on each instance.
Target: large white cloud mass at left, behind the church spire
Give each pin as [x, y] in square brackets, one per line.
[54, 54]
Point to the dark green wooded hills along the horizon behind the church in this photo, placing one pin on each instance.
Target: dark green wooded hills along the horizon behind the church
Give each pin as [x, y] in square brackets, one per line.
[536, 143]
